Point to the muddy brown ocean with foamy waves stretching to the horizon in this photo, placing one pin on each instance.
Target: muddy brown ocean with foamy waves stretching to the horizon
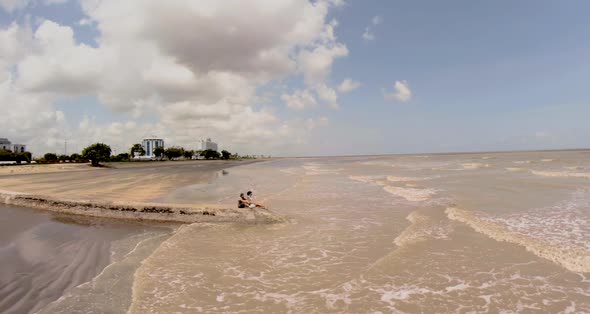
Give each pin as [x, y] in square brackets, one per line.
[444, 233]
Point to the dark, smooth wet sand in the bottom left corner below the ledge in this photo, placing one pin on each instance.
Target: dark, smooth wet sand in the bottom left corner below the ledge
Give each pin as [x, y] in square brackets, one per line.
[43, 255]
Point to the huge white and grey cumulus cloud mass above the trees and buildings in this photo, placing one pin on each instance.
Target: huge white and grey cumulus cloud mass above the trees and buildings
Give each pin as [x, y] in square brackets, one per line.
[192, 69]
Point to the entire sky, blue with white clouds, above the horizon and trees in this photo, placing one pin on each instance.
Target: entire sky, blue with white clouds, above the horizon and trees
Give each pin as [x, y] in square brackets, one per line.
[296, 77]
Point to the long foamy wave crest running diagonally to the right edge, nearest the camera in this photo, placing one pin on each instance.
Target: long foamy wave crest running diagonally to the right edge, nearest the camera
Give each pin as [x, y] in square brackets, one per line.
[576, 259]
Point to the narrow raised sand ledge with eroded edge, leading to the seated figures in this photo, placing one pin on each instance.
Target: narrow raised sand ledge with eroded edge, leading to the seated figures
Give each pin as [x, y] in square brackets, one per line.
[138, 211]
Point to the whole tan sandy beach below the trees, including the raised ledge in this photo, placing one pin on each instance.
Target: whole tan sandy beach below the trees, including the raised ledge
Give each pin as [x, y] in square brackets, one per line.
[131, 191]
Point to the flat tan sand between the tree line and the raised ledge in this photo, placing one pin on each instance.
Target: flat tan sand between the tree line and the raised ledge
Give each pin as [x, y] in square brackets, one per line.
[136, 181]
